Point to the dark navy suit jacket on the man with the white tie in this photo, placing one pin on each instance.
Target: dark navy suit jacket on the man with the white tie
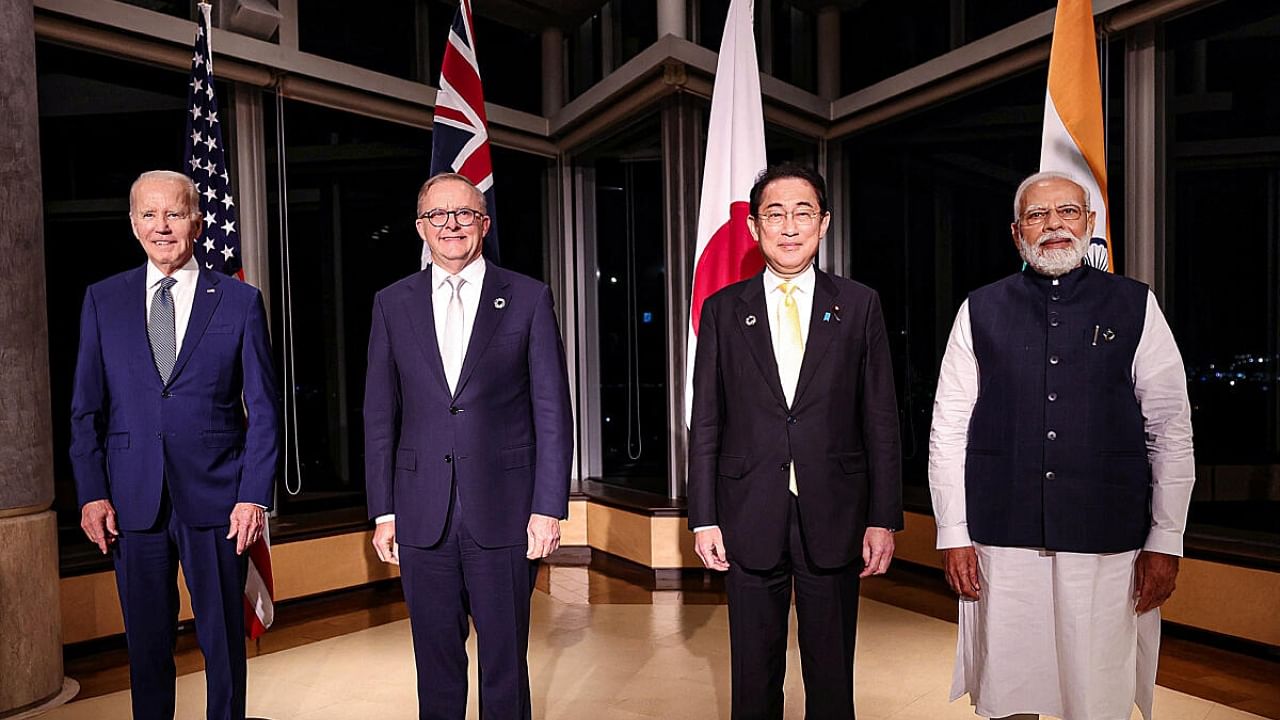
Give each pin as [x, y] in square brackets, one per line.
[506, 435]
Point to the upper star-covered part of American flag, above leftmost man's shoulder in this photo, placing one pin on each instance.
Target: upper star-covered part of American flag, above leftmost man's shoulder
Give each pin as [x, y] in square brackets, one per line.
[205, 162]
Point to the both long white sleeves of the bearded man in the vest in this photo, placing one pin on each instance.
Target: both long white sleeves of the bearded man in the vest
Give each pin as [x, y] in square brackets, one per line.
[1160, 388]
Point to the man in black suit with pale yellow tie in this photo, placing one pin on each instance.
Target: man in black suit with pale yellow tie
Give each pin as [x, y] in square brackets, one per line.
[794, 462]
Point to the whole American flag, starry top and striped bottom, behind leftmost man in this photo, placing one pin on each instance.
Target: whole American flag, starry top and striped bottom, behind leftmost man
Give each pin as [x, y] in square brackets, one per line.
[220, 249]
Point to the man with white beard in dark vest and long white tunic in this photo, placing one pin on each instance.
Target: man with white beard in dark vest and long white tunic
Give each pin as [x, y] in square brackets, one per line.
[1062, 468]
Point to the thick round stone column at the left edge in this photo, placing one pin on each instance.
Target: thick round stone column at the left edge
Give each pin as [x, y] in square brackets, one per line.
[31, 646]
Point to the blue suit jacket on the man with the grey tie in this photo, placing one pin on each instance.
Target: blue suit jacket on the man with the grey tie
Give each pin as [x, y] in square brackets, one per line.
[131, 434]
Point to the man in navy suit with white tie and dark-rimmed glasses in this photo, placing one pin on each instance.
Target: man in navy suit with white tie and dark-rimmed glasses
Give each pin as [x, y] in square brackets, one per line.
[468, 450]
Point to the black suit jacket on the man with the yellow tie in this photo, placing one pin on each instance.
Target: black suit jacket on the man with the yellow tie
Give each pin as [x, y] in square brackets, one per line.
[842, 430]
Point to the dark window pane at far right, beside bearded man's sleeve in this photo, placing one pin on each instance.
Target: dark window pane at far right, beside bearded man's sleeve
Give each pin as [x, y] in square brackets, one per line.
[1223, 258]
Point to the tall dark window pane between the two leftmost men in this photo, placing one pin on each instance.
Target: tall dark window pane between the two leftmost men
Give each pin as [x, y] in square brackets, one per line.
[353, 186]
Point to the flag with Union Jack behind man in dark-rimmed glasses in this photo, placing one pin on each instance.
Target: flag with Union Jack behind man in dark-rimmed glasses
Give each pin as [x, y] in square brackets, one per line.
[460, 135]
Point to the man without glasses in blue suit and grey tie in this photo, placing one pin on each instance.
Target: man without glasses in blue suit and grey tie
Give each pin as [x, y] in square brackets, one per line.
[167, 467]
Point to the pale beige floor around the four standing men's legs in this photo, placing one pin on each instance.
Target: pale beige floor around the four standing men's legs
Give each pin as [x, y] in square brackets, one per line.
[641, 657]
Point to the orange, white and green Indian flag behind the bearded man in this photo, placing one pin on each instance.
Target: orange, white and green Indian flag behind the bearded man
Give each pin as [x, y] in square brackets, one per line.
[1073, 139]
